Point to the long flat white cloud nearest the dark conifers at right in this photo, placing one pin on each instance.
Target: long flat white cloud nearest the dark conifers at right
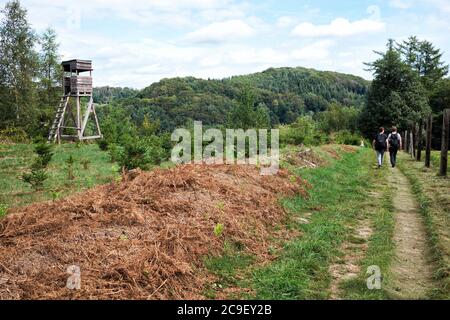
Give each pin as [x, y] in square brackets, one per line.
[339, 27]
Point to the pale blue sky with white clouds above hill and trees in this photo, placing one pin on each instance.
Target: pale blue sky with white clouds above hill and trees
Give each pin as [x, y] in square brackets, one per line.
[137, 42]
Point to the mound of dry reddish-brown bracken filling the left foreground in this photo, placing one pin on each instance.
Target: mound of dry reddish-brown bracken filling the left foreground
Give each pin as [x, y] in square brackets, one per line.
[141, 238]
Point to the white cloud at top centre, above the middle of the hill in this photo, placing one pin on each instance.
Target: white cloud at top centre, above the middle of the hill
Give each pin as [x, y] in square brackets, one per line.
[221, 32]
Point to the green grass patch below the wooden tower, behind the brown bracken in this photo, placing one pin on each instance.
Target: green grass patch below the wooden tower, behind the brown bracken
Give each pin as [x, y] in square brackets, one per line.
[16, 159]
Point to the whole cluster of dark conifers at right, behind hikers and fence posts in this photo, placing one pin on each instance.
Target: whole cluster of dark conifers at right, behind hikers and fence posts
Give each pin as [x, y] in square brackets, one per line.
[410, 83]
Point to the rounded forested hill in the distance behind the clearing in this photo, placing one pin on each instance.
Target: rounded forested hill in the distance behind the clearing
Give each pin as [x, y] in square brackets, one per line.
[285, 93]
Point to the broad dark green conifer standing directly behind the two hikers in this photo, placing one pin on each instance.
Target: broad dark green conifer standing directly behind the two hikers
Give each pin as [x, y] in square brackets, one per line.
[396, 96]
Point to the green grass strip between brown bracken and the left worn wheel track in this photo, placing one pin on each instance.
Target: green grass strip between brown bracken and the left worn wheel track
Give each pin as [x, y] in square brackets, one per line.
[336, 201]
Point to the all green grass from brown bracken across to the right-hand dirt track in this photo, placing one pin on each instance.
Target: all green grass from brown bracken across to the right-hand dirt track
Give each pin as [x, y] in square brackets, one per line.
[338, 200]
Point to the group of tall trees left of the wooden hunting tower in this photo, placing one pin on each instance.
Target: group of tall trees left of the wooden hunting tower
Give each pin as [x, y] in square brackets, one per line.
[30, 74]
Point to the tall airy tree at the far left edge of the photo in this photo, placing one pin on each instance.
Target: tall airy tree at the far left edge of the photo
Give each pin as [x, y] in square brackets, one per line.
[18, 68]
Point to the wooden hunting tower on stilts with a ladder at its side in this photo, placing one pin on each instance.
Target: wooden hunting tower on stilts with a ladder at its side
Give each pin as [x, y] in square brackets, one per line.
[69, 122]
